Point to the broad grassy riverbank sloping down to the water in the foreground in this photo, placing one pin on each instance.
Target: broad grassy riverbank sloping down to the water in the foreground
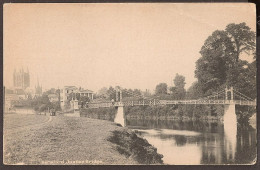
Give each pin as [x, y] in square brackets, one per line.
[74, 140]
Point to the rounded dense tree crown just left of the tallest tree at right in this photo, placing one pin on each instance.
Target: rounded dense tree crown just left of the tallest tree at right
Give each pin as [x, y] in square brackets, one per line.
[217, 58]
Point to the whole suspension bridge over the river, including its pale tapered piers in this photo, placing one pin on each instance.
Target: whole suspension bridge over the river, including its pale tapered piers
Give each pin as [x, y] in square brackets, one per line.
[229, 97]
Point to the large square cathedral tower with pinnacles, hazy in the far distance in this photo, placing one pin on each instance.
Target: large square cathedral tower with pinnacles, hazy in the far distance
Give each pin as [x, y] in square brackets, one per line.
[21, 79]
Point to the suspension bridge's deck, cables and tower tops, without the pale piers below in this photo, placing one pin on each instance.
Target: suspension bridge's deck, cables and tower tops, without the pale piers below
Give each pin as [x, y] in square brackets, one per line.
[227, 96]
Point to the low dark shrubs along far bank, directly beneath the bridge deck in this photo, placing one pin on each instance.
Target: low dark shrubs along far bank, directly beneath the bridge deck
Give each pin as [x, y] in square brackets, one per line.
[158, 112]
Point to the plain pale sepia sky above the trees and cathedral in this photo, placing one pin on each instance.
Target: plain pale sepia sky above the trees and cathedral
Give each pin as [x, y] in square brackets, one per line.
[102, 45]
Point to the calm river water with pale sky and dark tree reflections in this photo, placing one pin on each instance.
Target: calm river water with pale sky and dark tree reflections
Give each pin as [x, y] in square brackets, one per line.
[197, 142]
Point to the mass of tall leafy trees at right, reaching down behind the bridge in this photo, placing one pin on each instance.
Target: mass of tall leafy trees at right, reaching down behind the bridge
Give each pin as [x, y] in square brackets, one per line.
[221, 65]
